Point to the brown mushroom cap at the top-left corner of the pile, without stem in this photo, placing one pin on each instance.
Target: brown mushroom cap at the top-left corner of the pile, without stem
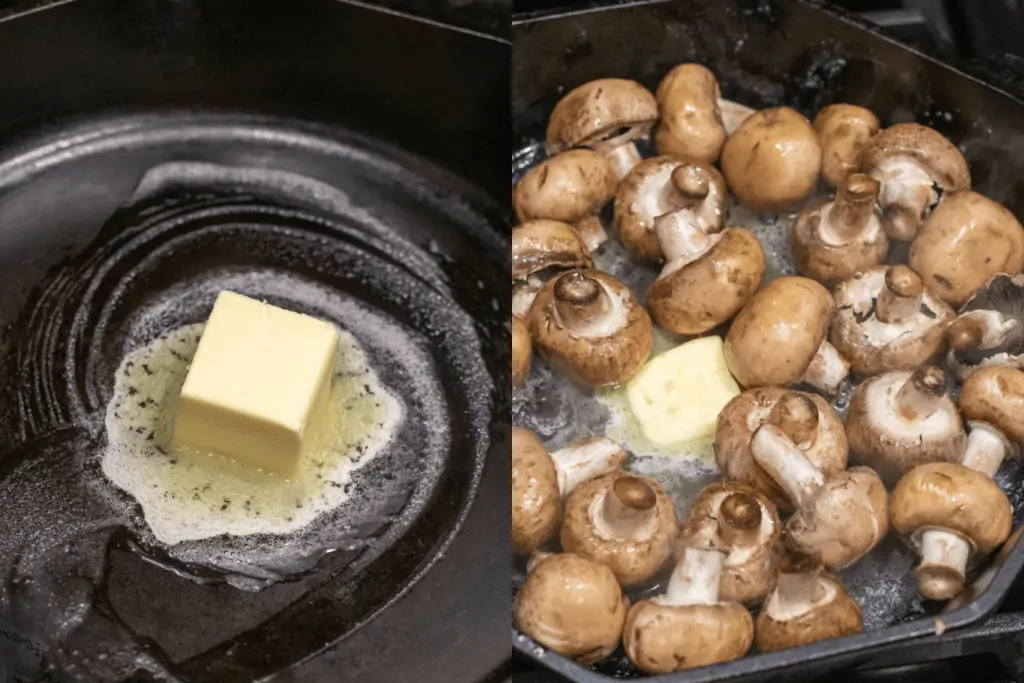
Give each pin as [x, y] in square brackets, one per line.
[591, 112]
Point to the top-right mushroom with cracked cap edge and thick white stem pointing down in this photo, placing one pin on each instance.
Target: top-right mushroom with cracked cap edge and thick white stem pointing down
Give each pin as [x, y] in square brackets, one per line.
[916, 166]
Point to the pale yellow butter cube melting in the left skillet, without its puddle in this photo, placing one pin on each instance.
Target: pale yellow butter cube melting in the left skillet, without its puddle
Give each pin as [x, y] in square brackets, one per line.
[259, 388]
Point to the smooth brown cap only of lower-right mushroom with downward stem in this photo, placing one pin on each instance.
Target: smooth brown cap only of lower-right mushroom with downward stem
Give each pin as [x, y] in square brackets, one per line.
[951, 497]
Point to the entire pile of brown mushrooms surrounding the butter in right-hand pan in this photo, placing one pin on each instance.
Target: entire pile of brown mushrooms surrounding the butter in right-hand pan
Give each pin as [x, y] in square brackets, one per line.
[805, 491]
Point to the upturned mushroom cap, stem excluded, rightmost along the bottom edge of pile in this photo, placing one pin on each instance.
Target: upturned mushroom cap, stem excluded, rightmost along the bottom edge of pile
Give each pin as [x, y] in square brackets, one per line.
[835, 615]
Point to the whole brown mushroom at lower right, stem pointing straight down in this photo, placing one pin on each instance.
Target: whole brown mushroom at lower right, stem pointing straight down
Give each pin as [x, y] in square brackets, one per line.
[949, 513]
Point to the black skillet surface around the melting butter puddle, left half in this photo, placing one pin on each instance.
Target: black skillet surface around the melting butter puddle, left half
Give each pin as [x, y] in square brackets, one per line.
[205, 101]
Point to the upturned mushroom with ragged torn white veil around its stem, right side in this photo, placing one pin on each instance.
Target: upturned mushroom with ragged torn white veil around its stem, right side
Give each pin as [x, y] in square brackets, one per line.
[886, 321]
